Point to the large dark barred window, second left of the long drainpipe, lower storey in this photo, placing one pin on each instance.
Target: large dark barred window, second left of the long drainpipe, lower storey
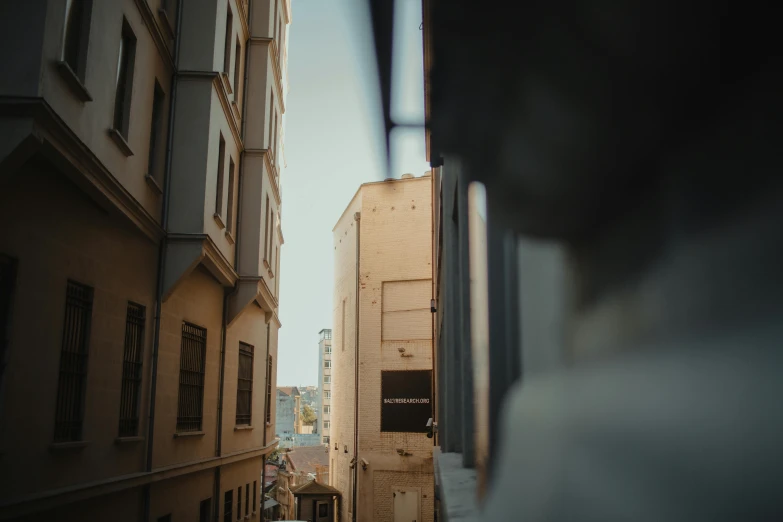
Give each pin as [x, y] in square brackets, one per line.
[72, 382]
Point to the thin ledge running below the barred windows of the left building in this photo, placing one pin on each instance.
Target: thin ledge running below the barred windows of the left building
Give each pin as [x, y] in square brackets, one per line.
[54, 498]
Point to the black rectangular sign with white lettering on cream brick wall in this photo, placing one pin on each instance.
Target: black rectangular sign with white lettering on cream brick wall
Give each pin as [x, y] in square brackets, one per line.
[406, 400]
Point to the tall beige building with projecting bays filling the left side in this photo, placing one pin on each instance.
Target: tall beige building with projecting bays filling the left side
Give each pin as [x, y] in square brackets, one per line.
[139, 256]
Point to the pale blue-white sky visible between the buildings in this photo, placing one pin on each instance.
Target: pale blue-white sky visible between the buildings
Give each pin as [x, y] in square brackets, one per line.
[334, 143]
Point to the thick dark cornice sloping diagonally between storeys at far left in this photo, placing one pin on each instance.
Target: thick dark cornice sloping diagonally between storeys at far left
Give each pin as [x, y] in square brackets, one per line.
[55, 140]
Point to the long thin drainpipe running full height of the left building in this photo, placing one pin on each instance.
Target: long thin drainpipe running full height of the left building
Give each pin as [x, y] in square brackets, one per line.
[164, 216]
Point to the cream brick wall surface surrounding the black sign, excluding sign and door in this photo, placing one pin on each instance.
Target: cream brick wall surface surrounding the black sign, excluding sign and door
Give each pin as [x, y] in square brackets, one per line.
[396, 256]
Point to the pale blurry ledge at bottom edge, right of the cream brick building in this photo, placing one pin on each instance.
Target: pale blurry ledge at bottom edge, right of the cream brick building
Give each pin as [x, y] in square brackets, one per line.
[457, 487]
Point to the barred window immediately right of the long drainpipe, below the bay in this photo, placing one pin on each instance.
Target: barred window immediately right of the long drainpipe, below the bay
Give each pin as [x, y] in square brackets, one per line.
[191, 378]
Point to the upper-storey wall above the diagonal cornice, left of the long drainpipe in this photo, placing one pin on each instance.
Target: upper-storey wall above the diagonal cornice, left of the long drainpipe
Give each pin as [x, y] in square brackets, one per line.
[92, 120]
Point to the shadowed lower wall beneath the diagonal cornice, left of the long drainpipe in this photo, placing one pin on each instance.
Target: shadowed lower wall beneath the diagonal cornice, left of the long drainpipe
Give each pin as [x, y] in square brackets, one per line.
[119, 263]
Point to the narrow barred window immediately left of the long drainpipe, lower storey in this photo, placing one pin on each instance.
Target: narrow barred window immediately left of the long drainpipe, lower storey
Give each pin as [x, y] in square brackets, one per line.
[131, 370]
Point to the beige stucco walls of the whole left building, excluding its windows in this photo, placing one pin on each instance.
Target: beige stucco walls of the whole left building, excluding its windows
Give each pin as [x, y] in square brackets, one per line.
[62, 222]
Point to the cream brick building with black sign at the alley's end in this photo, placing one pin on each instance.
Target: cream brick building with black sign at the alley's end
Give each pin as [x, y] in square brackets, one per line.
[381, 457]
